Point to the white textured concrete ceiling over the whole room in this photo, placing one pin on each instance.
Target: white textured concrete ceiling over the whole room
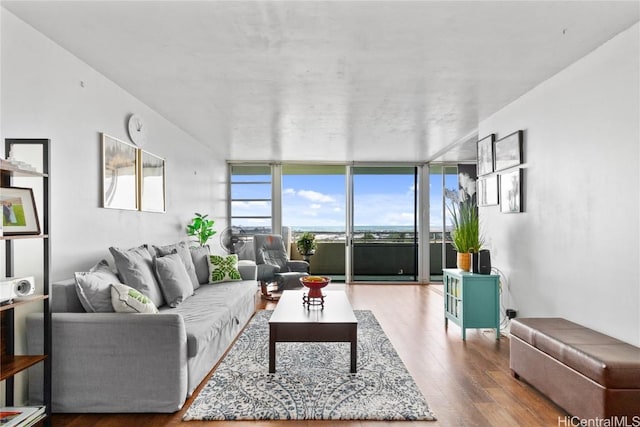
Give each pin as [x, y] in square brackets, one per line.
[329, 80]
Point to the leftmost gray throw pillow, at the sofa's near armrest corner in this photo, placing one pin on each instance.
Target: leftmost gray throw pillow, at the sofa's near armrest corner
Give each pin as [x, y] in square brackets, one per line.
[93, 286]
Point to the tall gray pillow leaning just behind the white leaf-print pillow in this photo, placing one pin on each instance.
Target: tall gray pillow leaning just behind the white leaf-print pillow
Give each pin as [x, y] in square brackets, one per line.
[135, 267]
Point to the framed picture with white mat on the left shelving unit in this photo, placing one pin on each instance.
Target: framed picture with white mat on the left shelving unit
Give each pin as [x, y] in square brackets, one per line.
[19, 212]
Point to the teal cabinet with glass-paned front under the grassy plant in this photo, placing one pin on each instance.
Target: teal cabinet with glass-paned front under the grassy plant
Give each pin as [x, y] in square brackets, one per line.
[472, 300]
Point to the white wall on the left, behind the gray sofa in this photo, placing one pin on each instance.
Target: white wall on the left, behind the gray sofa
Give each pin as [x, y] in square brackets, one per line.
[48, 93]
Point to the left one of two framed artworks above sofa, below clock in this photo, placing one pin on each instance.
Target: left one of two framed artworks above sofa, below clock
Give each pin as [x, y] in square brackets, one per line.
[119, 174]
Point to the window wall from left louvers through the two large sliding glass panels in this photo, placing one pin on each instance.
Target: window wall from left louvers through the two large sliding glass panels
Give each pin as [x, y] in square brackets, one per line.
[364, 217]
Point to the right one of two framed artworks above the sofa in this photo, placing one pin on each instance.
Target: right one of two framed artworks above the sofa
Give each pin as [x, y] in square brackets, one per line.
[152, 182]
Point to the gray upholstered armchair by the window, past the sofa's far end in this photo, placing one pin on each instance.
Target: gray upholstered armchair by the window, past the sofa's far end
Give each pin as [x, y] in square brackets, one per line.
[274, 264]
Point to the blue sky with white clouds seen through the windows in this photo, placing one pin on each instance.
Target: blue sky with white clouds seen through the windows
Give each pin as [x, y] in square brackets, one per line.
[319, 200]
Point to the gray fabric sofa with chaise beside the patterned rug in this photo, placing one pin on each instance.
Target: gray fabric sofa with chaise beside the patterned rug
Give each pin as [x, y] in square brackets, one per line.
[135, 362]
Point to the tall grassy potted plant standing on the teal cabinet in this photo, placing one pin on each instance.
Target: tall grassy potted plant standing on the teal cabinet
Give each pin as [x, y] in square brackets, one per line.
[465, 234]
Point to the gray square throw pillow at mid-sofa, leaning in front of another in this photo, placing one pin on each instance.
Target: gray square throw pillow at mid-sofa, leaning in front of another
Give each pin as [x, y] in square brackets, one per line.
[173, 278]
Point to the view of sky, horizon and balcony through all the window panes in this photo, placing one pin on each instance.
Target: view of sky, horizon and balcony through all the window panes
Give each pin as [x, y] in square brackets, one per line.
[314, 200]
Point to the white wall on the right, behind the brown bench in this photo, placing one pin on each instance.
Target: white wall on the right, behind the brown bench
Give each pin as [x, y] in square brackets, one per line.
[574, 253]
